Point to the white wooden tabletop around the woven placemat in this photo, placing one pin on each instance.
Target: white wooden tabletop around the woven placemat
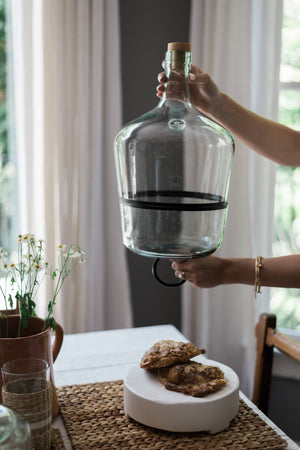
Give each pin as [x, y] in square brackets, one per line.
[108, 355]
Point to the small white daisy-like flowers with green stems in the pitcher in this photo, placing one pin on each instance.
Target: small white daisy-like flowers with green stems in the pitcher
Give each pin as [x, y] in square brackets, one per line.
[23, 277]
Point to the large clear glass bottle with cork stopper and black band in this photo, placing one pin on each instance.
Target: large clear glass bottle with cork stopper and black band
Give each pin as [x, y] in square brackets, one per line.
[173, 168]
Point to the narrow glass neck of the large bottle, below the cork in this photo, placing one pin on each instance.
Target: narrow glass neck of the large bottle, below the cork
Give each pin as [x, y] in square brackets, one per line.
[177, 68]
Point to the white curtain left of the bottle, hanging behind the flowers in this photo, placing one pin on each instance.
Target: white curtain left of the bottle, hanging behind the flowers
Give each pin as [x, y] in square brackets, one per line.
[66, 68]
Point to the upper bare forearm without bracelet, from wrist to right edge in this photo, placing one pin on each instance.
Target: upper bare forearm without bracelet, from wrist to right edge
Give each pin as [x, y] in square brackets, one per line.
[270, 139]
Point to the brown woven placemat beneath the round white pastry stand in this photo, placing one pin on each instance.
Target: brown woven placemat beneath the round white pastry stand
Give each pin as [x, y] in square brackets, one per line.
[94, 417]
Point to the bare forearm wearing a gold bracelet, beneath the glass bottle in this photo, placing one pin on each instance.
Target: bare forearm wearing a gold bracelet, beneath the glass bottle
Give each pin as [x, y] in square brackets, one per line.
[283, 271]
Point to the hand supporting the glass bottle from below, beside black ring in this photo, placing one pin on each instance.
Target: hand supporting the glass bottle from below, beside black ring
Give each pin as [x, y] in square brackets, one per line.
[204, 272]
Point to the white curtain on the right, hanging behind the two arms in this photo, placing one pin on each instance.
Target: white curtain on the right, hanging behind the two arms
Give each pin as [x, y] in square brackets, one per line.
[238, 44]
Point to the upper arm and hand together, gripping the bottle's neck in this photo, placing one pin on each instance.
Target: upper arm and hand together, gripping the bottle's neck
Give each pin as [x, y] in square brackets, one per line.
[268, 138]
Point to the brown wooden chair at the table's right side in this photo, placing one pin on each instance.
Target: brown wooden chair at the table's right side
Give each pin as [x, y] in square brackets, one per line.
[269, 338]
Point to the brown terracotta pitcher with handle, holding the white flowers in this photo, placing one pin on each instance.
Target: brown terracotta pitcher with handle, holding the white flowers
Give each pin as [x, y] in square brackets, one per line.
[36, 342]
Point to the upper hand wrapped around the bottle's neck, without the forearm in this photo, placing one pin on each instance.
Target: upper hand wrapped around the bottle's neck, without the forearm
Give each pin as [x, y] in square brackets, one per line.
[205, 95]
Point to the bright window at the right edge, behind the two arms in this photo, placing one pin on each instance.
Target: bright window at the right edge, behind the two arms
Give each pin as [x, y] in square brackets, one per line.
[285, 303]
